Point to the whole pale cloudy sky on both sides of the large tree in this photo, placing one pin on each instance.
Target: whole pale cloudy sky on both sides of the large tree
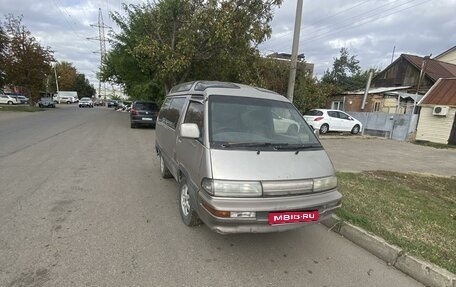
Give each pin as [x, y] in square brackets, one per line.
[375, 31]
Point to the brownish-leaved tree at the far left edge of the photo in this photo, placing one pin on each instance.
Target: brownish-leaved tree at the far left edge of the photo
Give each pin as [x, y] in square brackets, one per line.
[26, 62]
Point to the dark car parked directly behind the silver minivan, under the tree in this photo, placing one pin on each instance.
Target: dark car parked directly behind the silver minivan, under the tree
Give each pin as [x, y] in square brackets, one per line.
[143, 113]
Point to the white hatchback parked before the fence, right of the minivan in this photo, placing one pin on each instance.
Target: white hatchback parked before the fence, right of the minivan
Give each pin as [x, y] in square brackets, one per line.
[326, 120]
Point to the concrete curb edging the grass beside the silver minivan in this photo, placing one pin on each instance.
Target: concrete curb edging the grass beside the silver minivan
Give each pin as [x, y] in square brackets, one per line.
[427, 273]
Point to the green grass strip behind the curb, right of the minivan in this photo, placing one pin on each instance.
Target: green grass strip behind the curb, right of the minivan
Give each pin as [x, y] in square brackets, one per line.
[413, 211]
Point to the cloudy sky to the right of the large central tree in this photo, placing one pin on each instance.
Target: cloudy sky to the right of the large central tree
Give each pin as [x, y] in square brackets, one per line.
[369, 29]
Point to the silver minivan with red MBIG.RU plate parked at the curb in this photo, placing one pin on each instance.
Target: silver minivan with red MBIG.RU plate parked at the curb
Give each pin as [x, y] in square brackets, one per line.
[244, 158]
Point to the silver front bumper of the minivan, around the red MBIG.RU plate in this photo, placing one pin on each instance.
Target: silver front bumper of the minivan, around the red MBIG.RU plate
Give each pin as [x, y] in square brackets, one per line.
[325, 202]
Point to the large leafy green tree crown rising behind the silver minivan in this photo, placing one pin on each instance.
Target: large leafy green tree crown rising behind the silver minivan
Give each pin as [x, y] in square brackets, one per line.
[172, 41]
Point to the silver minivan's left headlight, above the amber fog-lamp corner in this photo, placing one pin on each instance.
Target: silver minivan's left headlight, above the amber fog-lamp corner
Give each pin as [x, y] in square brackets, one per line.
[228, 188]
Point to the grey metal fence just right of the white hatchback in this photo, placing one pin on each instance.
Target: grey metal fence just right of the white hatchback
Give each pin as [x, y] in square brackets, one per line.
[394, 126]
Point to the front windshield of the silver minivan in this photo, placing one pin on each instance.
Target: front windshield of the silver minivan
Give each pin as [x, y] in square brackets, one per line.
[252, 123]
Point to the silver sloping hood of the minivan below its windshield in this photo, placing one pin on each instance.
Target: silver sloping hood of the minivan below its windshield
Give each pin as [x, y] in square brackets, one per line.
[270, 165]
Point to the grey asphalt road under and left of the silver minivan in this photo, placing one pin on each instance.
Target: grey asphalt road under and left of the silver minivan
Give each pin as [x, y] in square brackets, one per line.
[82, 204]
